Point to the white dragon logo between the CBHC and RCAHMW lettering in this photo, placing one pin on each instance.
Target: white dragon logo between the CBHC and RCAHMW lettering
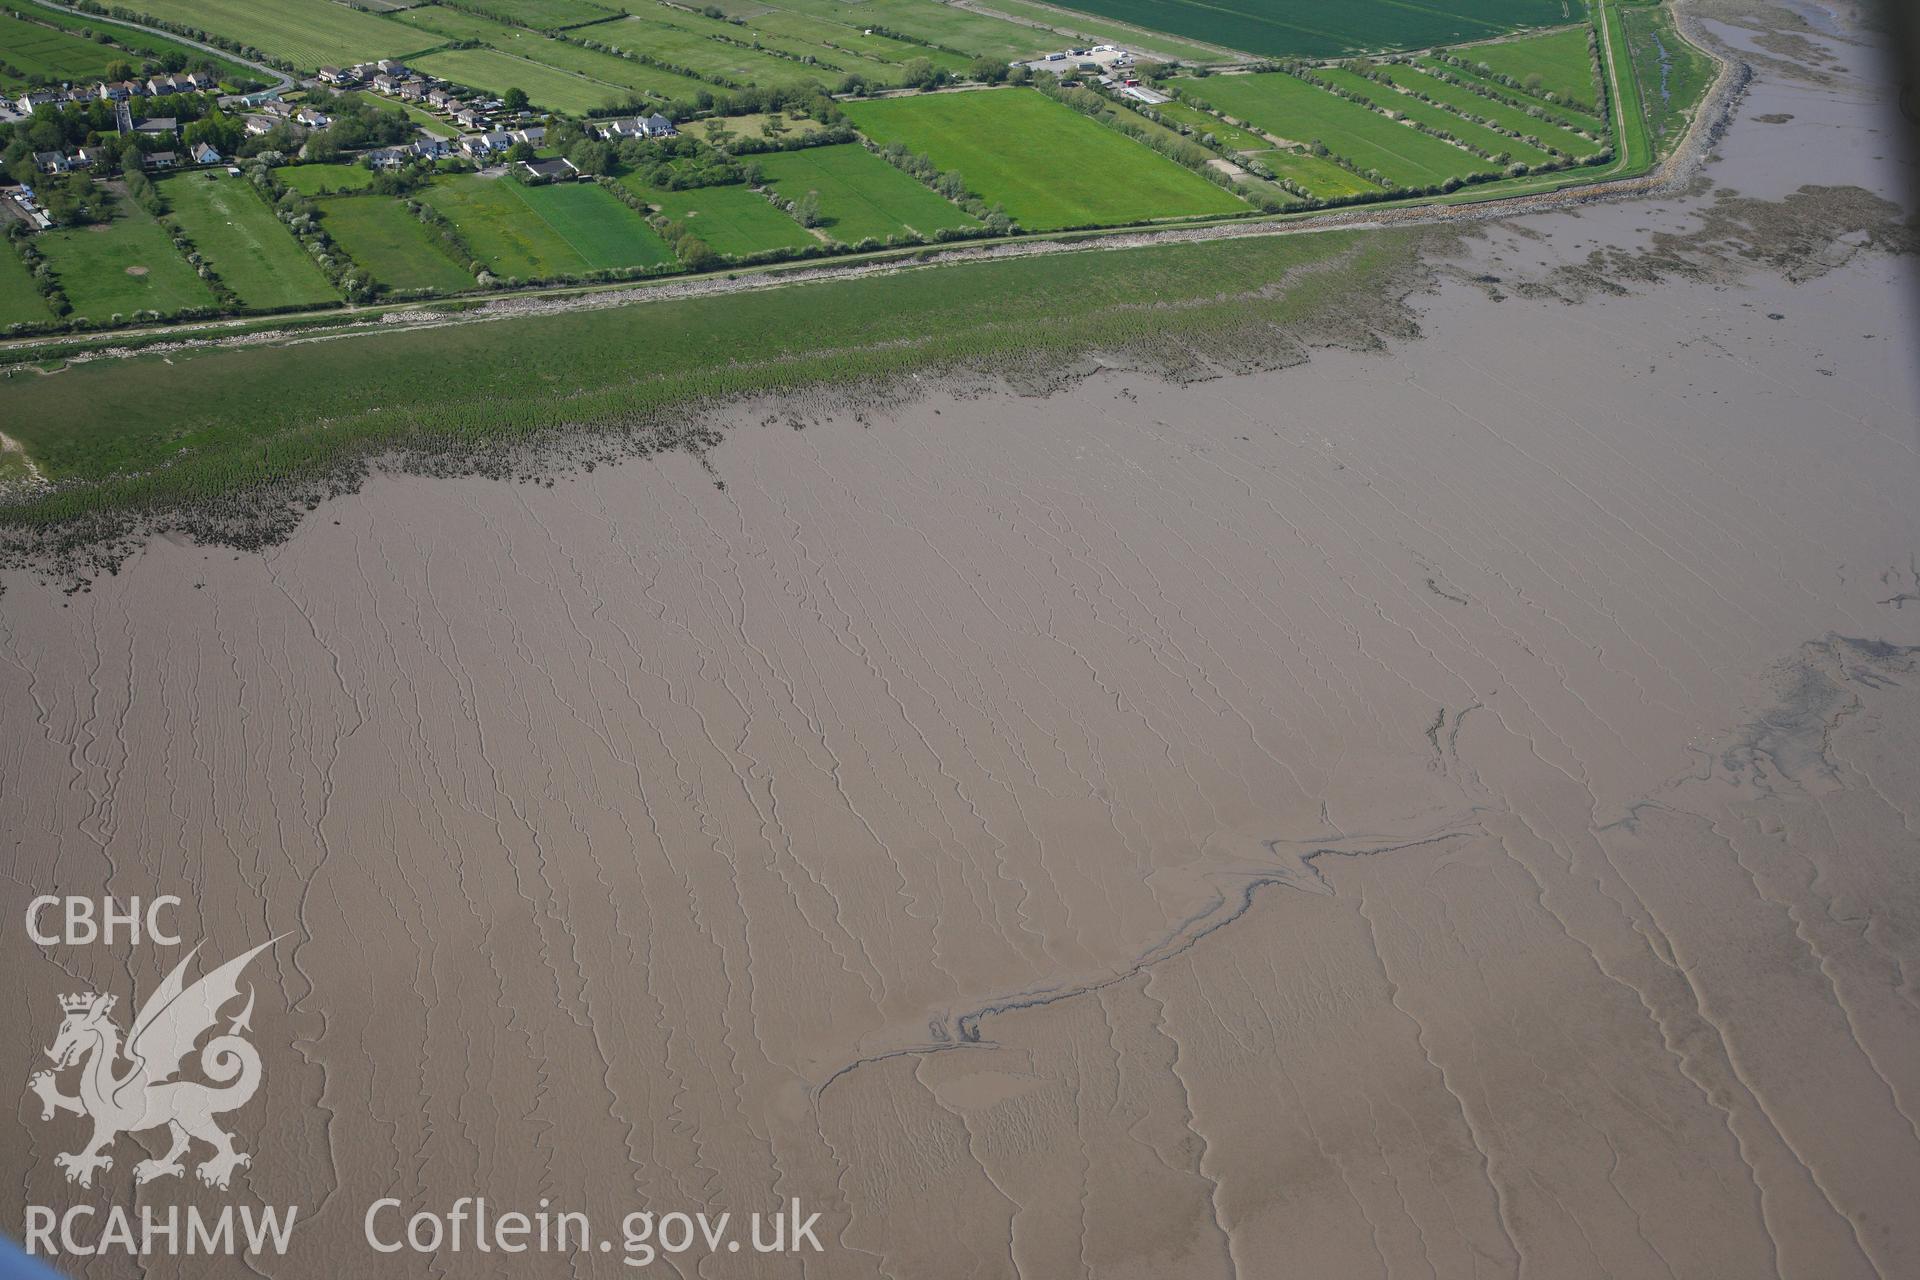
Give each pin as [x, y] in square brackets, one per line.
[147, 1095]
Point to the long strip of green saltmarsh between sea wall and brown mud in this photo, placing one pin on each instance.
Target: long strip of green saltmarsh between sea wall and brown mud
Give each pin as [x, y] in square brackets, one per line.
[210, 439]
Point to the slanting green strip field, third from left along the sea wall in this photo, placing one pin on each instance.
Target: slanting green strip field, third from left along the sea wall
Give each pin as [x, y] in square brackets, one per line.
[245, 243]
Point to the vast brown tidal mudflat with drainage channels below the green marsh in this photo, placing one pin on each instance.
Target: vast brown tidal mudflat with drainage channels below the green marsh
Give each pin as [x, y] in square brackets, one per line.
[1441, 809]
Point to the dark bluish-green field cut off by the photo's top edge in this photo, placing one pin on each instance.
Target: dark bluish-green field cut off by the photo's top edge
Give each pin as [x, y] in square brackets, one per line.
[1330, 28]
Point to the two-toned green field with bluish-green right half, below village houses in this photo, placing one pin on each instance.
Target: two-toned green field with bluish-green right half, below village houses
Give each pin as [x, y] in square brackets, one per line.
[546, 231]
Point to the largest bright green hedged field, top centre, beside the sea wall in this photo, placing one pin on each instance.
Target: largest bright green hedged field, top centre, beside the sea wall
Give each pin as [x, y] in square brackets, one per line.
[1045, 164]
